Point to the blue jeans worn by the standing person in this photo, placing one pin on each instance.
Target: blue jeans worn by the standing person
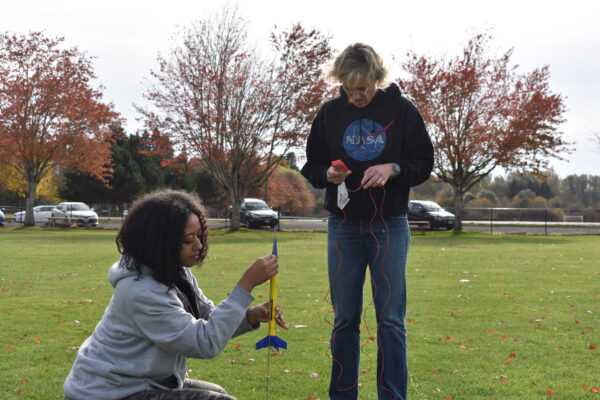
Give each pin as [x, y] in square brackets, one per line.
[383, 246]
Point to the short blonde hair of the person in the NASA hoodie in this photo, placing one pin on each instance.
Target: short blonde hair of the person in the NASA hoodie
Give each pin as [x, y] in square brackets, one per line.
[356, 61]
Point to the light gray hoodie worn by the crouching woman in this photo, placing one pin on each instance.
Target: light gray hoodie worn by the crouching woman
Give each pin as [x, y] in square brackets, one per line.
[145, 336]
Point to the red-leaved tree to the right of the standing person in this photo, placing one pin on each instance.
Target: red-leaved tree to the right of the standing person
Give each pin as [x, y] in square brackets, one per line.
[481, 114]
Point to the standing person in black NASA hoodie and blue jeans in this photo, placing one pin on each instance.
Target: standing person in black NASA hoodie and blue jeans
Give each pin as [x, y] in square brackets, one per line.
[381, 138]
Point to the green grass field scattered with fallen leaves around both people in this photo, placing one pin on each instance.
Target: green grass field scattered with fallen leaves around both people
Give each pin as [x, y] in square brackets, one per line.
[489, 317]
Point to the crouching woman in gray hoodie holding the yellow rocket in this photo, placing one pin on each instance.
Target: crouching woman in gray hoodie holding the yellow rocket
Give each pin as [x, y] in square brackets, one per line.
[158, 316]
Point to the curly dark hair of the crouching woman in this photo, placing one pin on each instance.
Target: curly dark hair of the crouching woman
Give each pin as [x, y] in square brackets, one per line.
[152, 233]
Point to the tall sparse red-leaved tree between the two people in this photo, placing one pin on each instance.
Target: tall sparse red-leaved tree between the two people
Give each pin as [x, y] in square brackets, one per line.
[236, 112]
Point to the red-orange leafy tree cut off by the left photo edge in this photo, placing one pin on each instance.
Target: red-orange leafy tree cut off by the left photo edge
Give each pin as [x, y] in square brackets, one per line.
[50, 115]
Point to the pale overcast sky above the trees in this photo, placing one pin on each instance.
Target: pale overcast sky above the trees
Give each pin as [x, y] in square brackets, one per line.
[125, 36]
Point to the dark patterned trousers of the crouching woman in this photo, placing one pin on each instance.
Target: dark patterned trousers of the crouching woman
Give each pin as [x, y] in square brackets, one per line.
[192, 390]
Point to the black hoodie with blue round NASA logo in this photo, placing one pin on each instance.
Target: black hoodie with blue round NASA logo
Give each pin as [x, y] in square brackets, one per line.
[389, 129]
